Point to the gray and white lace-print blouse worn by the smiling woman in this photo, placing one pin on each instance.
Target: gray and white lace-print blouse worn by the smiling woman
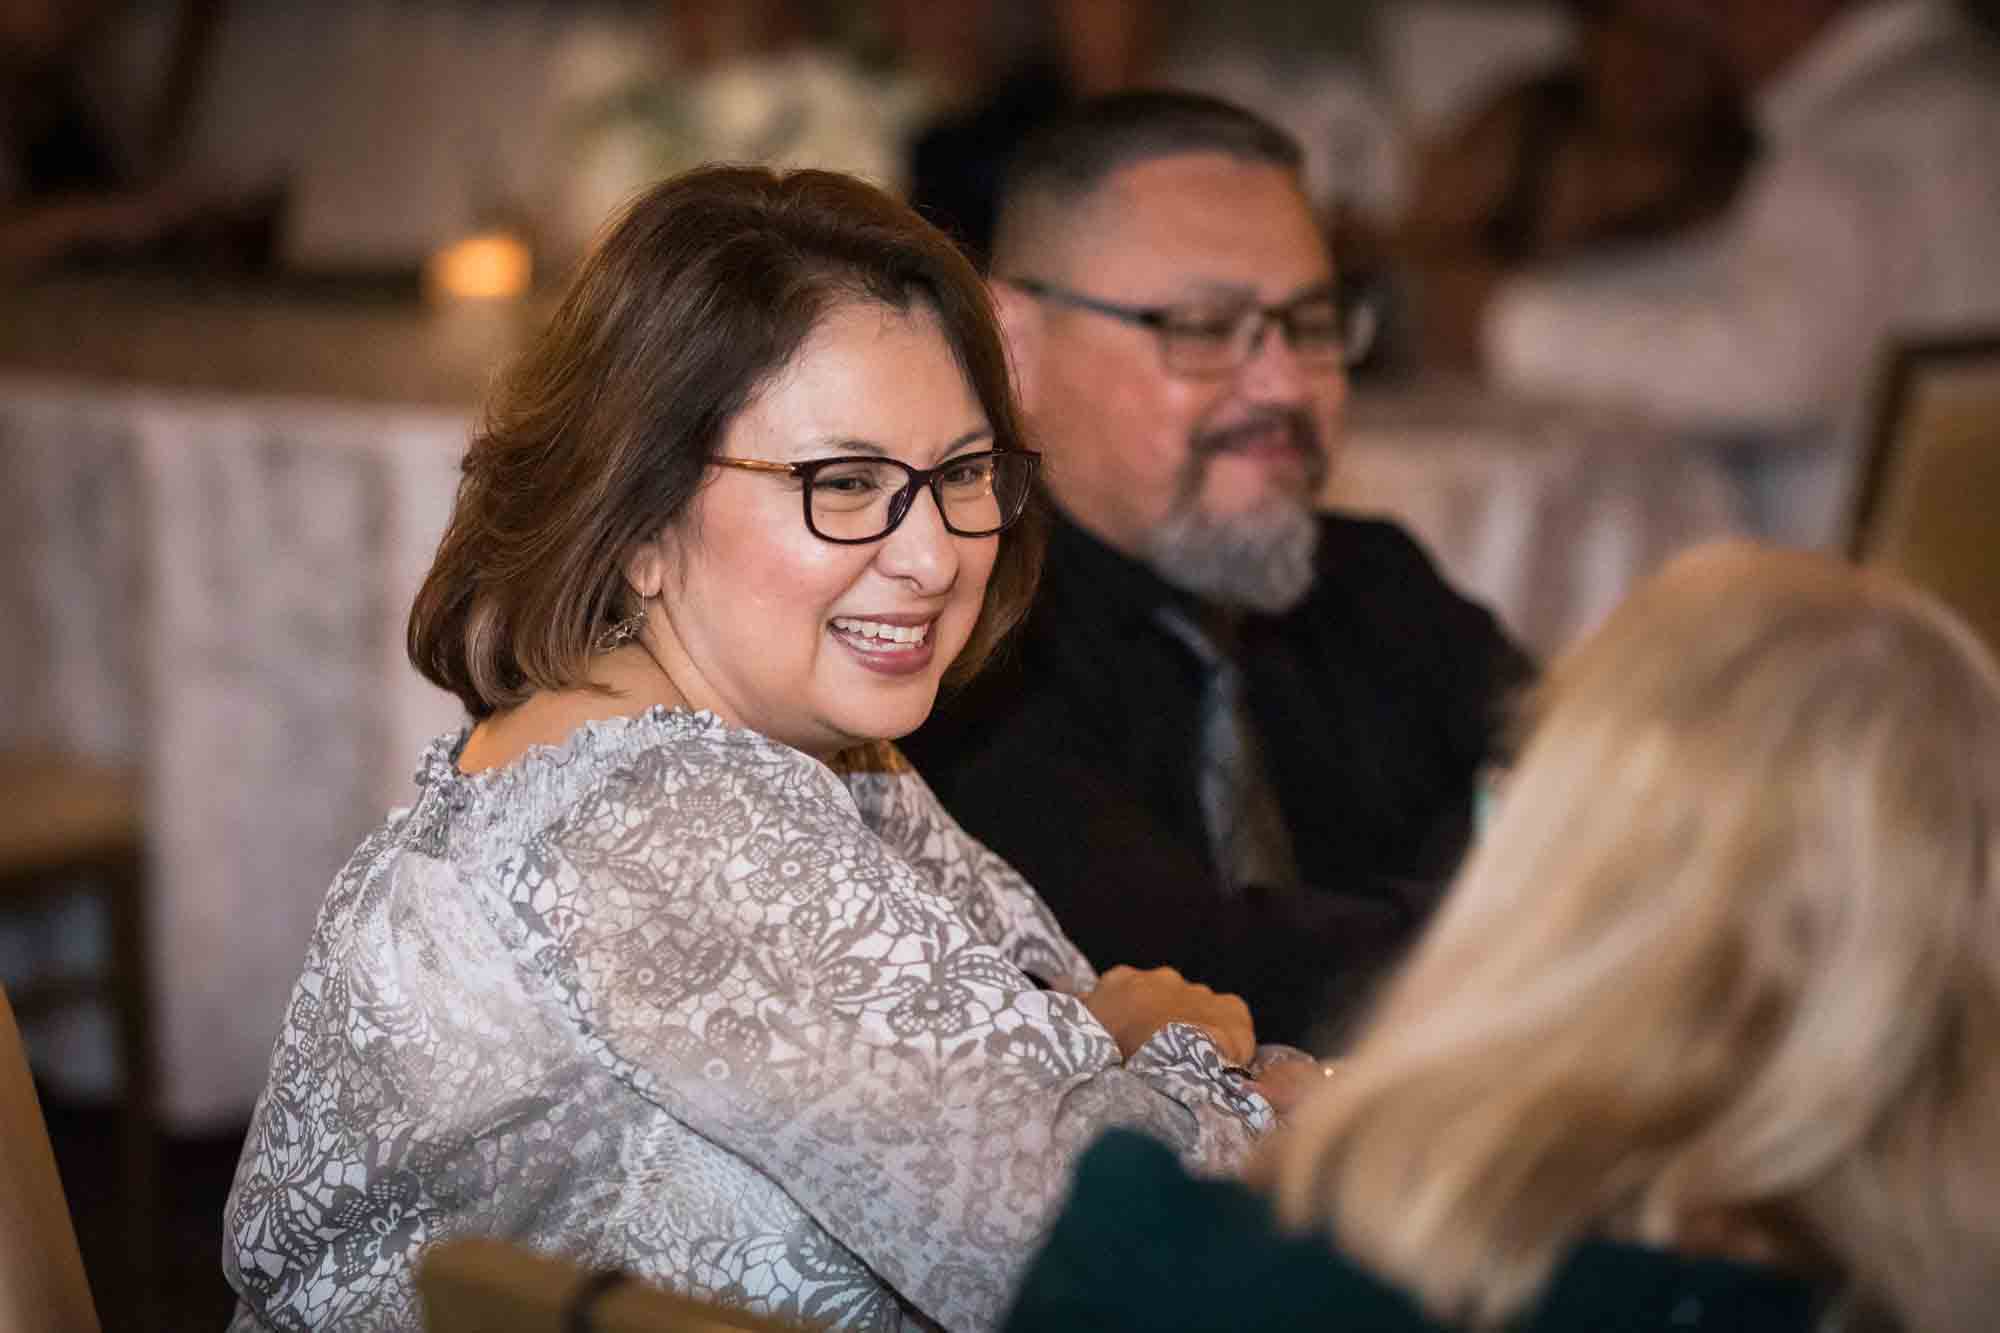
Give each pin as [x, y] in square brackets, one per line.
[683, 1000]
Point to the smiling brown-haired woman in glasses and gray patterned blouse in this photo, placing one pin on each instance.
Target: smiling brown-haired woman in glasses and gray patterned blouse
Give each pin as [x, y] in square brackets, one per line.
[675, 964]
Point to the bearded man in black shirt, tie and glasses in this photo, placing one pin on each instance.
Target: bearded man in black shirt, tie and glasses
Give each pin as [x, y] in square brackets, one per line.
[1235, 738]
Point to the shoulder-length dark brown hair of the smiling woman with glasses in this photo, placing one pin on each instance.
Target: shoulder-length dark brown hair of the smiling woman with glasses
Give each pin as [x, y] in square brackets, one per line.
[599, 435]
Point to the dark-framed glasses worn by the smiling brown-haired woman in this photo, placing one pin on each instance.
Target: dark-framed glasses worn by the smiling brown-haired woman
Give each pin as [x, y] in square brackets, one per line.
[863, 499]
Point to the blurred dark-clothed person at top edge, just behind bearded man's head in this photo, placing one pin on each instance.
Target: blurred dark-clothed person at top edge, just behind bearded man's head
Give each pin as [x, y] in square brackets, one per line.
[999, 71]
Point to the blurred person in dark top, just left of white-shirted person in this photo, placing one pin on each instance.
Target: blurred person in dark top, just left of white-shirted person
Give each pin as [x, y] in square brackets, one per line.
[1637, 139]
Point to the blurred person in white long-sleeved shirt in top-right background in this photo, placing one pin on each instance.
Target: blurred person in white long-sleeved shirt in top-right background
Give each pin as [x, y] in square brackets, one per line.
[1871, 213]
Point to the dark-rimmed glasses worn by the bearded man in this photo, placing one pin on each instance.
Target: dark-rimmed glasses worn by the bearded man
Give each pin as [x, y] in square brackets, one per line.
[1323, 329]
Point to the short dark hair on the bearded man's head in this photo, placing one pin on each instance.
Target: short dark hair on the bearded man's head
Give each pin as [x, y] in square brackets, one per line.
[1079, 151]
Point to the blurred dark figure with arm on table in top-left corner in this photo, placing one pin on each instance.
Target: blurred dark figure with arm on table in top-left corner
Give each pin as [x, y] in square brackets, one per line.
[69, 191]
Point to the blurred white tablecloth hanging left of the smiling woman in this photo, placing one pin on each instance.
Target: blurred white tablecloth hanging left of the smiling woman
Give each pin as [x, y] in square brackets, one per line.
[215, 589]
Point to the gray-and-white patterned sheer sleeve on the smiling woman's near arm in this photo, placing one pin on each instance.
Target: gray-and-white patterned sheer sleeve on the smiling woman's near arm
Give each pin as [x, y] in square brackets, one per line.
[747, 954]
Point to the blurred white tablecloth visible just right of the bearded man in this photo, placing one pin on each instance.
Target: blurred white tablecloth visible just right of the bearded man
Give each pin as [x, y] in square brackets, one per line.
[1545, 513]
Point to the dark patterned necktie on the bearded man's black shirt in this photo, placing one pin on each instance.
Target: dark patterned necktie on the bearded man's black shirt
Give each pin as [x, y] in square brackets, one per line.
[1247, 832]
